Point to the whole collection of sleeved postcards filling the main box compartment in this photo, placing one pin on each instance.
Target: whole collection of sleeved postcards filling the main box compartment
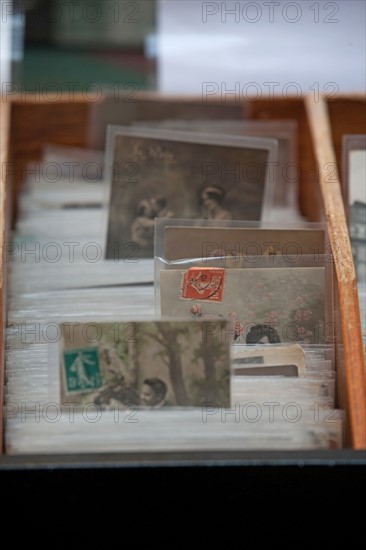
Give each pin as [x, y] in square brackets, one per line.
[223, 342]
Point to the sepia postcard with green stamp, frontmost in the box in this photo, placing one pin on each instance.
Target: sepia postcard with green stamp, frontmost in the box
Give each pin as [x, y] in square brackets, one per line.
[145, 365]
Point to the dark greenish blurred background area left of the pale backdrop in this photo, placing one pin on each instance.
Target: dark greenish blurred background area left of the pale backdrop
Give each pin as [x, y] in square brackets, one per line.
[79, 42]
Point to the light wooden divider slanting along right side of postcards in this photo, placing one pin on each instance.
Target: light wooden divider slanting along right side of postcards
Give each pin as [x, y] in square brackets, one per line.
[354, 371]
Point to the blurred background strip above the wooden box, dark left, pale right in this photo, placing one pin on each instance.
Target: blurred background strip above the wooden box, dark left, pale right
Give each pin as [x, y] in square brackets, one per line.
[185, 46]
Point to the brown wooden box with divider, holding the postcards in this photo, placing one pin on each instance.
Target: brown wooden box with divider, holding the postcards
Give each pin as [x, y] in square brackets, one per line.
[26, 124]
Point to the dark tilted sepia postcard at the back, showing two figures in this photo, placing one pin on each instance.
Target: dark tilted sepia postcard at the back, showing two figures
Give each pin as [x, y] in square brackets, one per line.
[166, 174]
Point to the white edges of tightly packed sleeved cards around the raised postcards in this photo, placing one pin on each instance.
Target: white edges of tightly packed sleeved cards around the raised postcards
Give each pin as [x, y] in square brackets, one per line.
[56, 219]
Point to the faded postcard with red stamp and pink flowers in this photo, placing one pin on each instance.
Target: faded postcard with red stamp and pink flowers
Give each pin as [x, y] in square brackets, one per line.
[262, 305]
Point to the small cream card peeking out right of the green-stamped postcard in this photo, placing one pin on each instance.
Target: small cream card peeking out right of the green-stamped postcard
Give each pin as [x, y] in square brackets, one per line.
[278, 360]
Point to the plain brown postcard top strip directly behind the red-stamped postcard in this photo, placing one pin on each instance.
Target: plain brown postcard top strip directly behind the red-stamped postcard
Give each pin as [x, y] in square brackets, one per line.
[184, 242]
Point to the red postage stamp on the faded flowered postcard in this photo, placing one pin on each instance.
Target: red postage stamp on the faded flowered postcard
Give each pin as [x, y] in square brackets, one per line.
[203, 283]
